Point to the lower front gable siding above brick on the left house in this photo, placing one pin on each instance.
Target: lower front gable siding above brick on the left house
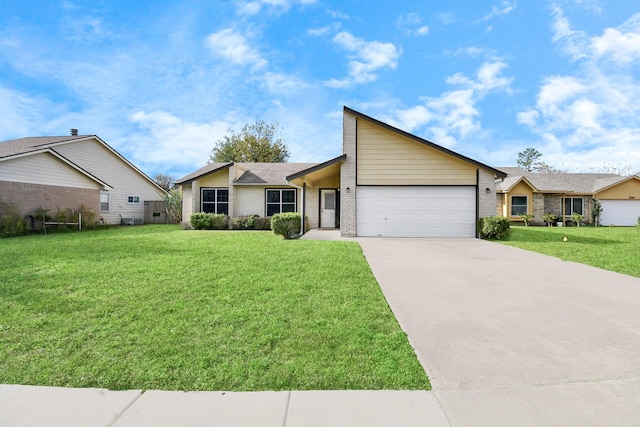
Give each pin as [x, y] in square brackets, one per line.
[44, 169]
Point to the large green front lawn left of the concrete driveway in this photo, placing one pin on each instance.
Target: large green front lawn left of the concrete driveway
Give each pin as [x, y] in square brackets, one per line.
[156, 307]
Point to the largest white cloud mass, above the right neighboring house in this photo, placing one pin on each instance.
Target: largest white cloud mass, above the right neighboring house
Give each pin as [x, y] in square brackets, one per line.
[593, 111]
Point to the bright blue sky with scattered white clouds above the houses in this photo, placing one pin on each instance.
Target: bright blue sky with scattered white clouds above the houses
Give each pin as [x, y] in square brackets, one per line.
[162, 81]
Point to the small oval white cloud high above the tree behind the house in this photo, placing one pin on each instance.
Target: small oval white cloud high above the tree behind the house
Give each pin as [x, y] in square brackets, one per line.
[233, 46]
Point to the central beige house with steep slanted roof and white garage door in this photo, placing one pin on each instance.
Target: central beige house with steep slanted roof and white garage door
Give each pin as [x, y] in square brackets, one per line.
[386, 183]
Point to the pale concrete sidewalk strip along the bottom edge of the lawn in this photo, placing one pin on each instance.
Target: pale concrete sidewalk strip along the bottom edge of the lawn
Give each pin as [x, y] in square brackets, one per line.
[69, 407]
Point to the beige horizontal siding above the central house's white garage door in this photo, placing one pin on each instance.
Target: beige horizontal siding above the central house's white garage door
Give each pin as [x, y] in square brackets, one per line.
[387, 158]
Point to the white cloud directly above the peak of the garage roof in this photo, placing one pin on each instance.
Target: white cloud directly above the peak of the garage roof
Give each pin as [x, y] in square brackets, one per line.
[366, 59]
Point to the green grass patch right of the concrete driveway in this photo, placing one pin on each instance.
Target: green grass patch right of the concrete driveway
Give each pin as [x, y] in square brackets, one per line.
[611, 248]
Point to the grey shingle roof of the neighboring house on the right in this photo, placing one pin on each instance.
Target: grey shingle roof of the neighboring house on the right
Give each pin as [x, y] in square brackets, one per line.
[560, 182]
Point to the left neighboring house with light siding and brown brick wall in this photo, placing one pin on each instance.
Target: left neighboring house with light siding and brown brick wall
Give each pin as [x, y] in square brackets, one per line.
[65, 172]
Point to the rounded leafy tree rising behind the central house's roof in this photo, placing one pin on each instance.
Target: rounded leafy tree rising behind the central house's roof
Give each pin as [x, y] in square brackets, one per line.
[257, 142]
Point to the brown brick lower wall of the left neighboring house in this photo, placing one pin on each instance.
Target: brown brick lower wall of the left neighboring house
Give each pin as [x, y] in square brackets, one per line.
[27, 197]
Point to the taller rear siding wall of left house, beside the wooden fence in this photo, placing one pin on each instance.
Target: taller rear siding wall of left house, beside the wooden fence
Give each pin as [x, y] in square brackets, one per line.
[125, 180]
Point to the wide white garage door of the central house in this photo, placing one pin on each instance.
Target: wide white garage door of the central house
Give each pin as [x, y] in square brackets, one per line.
[416, 211]
